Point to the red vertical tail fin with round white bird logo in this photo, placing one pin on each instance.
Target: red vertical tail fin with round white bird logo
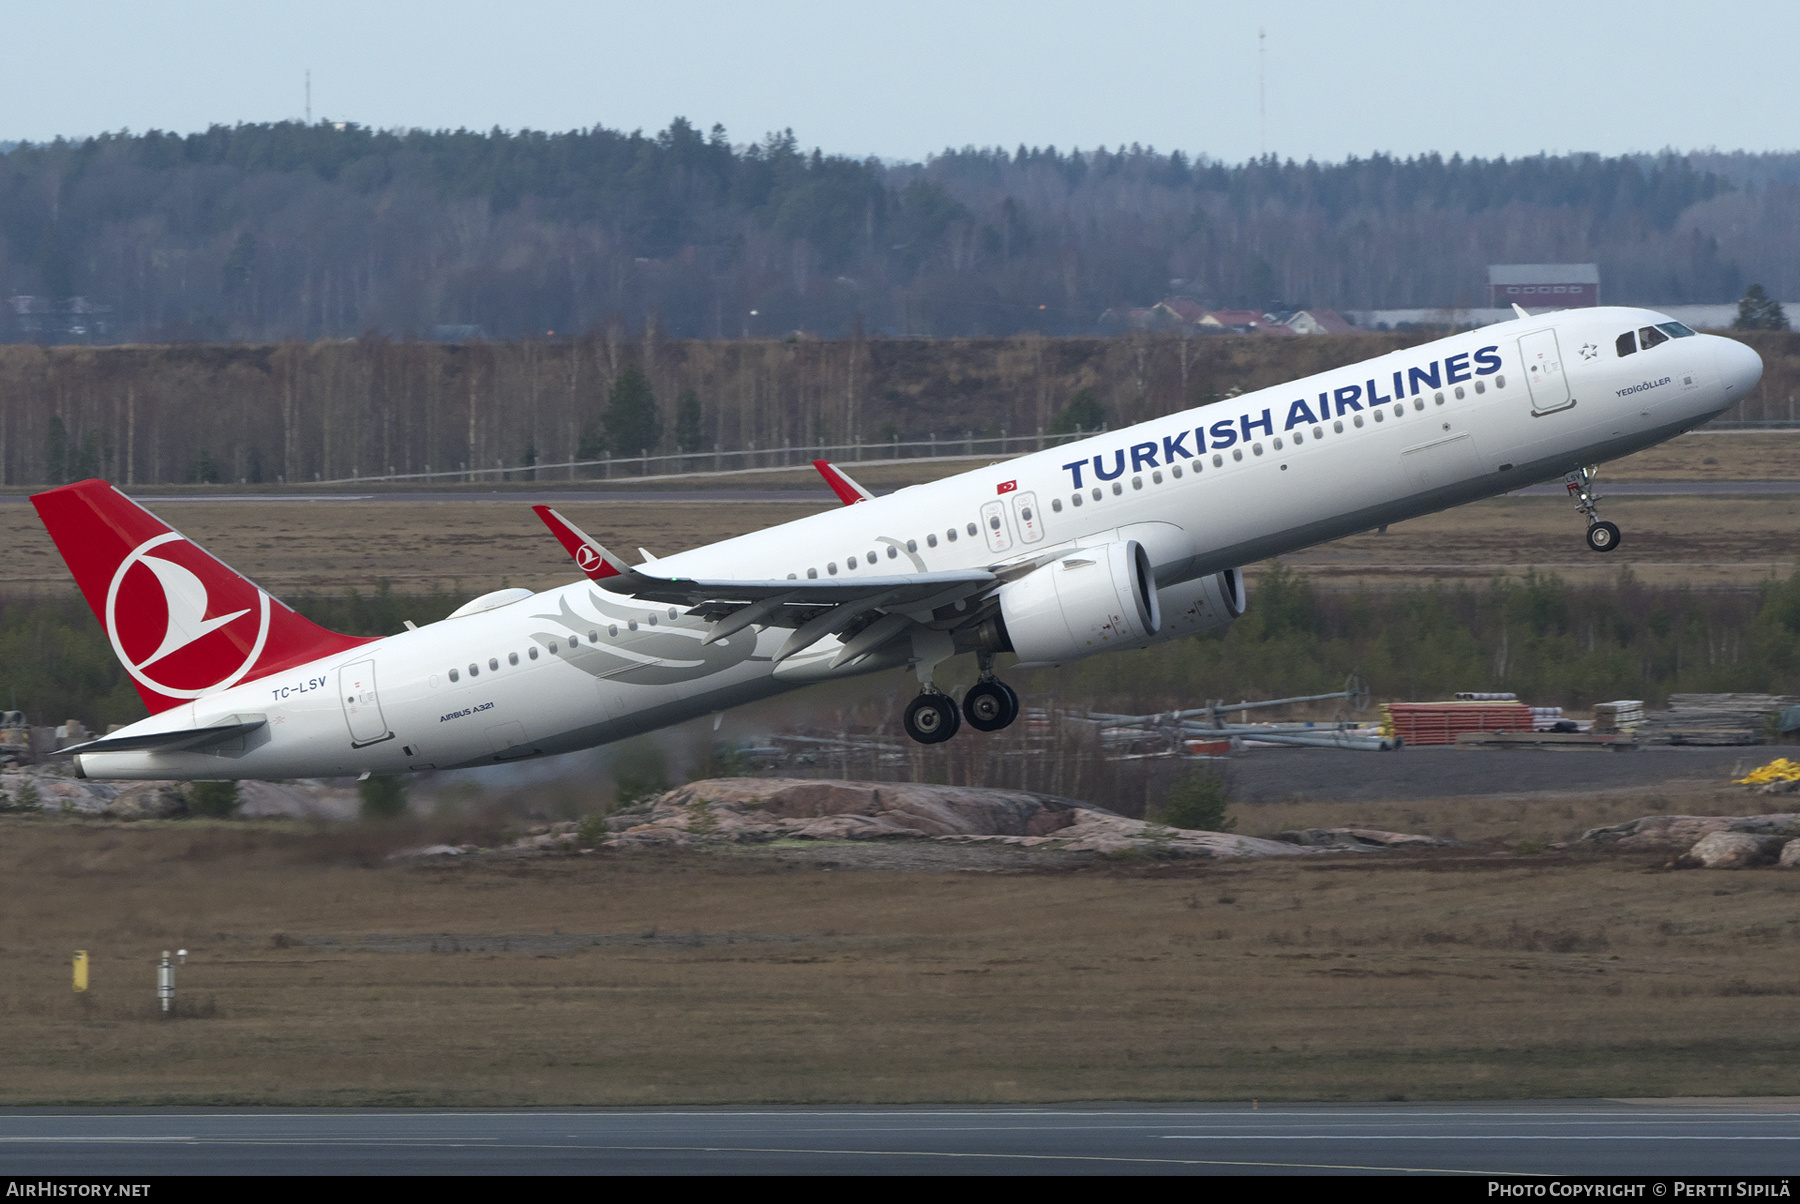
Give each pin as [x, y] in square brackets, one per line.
[183, 624]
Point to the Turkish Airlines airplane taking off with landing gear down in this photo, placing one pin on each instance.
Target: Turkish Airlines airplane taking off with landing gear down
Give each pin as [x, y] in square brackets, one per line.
[1120, 541]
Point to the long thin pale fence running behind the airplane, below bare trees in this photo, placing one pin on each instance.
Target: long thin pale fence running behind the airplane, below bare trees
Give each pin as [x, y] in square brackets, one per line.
[753, 460]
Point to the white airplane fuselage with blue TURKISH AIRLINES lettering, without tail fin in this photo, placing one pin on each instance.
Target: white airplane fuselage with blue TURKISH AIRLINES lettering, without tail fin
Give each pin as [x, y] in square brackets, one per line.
[1470, 420]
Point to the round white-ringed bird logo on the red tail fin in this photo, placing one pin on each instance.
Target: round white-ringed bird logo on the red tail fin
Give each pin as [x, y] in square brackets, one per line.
[174, 631]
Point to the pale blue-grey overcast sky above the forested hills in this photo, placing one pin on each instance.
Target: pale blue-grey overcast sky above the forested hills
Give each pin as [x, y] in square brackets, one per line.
[906, 80]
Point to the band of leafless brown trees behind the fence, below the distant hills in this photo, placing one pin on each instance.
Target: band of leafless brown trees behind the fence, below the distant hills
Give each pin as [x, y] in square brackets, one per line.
[368, 408]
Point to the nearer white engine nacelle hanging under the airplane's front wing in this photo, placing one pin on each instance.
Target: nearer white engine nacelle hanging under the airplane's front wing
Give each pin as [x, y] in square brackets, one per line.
[1093, 600]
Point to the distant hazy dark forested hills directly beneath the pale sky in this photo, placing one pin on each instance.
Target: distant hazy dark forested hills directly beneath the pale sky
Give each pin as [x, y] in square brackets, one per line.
[269, 233]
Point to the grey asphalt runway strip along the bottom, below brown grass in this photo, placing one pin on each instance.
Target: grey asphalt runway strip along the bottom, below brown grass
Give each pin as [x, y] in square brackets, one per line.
[1563, 1138]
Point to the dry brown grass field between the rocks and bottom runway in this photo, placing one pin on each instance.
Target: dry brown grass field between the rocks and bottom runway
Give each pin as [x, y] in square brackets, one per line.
[751, 978]
